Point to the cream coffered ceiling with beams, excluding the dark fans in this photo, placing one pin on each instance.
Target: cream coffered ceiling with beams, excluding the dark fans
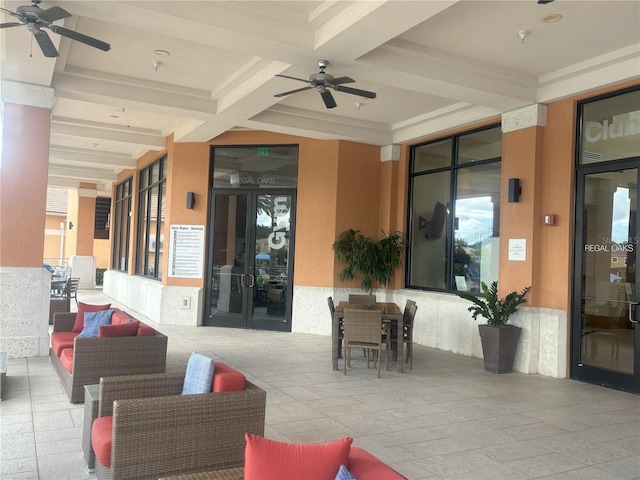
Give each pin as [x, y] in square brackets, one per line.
[433, 64]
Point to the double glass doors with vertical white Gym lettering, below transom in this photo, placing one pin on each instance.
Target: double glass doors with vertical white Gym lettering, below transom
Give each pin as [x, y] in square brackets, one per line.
[251, 260]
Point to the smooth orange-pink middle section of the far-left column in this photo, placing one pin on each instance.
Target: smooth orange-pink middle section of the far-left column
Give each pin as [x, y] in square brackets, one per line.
[23, 184]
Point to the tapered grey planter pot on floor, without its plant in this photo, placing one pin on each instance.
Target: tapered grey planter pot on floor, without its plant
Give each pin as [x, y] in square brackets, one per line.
[499, 346]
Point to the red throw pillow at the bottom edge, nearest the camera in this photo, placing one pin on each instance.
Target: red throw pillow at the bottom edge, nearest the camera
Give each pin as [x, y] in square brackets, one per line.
[288, 461]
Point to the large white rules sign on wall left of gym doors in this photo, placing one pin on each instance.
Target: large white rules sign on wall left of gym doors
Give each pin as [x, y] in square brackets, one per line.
[186, 251]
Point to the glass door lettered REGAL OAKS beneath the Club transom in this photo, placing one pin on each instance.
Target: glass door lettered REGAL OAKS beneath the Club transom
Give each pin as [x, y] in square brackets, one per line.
[606, 336]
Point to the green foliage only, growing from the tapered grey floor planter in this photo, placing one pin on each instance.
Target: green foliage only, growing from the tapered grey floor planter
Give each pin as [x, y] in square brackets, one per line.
[494, 310]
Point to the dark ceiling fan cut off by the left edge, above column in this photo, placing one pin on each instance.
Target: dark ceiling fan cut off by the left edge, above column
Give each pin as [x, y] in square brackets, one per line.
[35, 18]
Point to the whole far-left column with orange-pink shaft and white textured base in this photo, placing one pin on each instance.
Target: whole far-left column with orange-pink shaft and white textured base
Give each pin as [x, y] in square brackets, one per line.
[24, 283]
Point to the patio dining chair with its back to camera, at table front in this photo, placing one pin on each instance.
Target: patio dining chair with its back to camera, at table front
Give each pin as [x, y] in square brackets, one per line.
[364, 329]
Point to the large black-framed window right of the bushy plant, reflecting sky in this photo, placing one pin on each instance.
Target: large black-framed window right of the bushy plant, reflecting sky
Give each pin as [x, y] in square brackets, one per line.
[454, 224]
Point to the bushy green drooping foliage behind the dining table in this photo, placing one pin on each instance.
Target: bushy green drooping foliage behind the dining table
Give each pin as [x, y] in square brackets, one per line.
[374, 260]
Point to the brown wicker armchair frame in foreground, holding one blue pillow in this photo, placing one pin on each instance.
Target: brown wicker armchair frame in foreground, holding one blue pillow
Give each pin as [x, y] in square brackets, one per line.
[157, 432]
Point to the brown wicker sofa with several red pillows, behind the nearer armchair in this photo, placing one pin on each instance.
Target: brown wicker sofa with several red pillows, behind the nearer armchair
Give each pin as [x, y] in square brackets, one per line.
[97, 357]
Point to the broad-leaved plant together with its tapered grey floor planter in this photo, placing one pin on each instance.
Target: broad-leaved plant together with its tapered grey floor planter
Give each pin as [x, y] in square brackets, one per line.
[499, 340]
